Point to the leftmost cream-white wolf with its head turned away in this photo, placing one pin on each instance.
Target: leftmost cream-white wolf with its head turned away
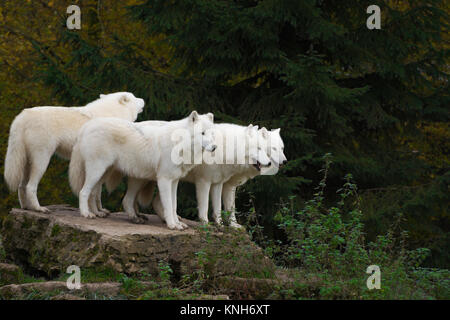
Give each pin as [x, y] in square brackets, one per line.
[37, 133]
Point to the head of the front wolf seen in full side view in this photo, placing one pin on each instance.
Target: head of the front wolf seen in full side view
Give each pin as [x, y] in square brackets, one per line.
[201, 128]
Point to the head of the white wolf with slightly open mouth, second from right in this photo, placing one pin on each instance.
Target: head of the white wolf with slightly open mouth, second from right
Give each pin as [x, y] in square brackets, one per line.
[257, 148]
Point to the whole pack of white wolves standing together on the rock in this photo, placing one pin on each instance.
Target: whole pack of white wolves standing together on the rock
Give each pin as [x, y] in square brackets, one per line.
[104, 144]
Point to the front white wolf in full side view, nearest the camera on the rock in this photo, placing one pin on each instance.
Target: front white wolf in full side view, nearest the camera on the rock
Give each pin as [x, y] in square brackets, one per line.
[142, 152]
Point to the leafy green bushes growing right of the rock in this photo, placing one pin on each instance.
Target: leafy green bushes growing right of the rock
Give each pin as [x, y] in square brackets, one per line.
[328, 242]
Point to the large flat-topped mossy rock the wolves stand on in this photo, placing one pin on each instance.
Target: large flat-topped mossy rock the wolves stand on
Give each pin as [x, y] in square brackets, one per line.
[49, 243]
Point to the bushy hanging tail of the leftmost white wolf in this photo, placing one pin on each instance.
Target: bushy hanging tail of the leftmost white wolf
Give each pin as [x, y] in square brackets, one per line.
[16, 154]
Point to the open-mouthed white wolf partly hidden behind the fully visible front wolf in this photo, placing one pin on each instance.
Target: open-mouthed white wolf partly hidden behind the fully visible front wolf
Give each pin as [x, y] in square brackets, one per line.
[208, 178]
